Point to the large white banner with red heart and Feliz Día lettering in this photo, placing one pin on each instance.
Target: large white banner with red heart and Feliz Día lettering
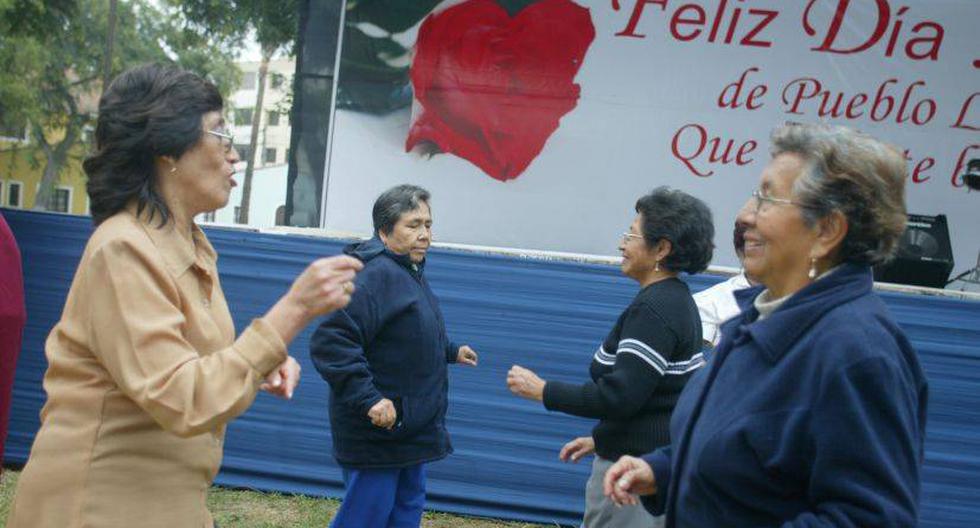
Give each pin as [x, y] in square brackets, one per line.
[538, 124]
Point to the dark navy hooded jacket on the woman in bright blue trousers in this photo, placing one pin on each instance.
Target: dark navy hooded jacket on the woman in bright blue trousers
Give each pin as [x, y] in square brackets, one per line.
[390, 342]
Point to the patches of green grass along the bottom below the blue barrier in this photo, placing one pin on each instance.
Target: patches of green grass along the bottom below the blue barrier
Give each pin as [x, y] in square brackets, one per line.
[253, 509]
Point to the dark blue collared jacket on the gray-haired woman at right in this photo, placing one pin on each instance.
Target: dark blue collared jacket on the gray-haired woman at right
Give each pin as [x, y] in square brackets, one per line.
[814, 416]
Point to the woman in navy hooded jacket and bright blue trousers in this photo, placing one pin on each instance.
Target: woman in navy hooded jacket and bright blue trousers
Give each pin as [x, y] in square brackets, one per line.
[385, 357]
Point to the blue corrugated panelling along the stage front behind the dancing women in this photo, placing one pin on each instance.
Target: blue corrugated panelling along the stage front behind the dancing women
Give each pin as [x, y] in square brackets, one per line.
[548, 316]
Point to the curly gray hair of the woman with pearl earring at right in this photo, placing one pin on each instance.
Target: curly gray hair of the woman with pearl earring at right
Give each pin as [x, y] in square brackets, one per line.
[854, 173]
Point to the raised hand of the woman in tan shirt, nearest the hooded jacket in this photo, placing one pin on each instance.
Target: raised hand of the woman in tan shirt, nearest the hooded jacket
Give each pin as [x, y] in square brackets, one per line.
[325, 285]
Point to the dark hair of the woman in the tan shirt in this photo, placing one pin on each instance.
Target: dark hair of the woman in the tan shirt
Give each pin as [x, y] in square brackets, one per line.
[148, 111]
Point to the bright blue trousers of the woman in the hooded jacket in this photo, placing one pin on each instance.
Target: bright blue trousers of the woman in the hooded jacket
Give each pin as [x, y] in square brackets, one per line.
[382, 498]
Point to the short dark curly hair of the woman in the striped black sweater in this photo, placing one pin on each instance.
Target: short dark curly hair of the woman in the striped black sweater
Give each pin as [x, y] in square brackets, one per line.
[684, 221]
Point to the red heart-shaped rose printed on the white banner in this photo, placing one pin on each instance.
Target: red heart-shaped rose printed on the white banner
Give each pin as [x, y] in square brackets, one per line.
[492, 88]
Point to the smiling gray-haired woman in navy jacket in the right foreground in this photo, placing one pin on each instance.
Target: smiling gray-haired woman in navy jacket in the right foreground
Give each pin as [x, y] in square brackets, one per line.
[812, 409]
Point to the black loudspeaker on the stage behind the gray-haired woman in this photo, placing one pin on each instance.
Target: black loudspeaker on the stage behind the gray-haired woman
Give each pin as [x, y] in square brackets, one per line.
[924, 256]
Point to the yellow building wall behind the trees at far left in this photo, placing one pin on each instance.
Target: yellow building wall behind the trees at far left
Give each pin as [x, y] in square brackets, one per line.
[16, 164]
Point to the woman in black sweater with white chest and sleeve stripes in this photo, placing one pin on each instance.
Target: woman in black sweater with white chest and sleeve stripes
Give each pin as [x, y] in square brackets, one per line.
[648, 356]
